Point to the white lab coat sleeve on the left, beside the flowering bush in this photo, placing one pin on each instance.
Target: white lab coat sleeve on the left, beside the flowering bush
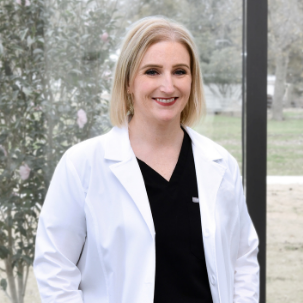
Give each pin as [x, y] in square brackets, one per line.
[60, 237]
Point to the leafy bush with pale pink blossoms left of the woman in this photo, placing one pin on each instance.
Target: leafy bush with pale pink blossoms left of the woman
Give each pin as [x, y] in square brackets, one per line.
[54, 66]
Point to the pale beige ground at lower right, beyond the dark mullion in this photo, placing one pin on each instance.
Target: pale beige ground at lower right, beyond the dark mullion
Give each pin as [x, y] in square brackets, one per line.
[284, 243]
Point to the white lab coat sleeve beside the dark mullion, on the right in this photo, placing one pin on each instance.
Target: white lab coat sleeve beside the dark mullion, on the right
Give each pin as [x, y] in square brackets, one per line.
[246, 283]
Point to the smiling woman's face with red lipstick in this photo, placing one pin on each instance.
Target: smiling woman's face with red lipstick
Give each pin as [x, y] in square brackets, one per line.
[162, 85]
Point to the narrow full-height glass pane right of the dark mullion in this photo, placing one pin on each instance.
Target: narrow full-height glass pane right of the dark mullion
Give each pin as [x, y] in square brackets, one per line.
[285, 152]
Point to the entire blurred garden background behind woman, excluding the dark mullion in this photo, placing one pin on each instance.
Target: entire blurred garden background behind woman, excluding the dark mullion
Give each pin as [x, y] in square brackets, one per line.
[56, 67]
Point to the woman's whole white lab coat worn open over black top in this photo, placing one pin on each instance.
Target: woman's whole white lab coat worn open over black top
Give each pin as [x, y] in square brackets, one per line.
[96, 238]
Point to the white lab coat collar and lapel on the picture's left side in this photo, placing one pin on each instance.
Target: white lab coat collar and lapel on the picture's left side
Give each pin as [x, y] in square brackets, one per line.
[128, 172]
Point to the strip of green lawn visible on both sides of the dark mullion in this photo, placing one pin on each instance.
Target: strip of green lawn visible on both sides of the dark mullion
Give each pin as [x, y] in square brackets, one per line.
[284, 140]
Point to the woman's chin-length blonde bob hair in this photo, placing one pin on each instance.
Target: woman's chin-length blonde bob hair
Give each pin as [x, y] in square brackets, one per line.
[140, 37]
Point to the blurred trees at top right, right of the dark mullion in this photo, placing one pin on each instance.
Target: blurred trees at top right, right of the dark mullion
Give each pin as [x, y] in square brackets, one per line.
[285, 20]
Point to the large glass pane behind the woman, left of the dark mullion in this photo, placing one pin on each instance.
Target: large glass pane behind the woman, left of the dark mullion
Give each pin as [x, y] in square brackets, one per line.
[56, 64]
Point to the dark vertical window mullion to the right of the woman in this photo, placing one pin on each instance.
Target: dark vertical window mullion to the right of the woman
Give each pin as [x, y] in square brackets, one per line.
[255, 120]
